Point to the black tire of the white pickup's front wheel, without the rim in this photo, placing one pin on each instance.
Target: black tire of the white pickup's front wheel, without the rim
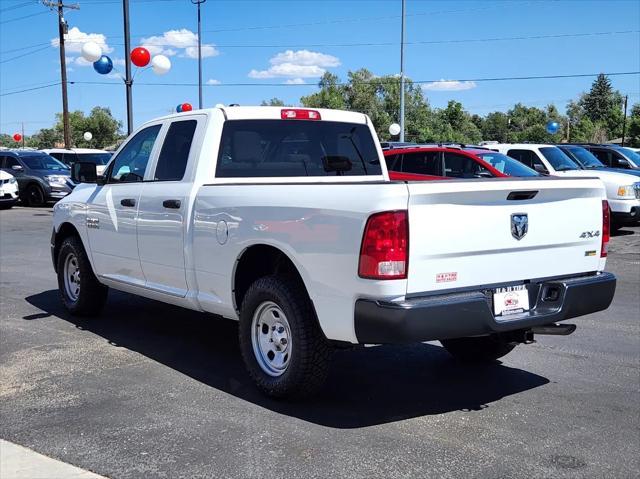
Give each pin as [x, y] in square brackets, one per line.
[92, 295]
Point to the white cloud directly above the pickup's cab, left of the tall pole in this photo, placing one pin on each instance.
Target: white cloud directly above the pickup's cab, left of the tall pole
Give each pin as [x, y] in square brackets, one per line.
[297, 65]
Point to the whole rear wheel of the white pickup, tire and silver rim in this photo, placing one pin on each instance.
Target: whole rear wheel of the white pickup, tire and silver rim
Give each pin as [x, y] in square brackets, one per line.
[282, 345]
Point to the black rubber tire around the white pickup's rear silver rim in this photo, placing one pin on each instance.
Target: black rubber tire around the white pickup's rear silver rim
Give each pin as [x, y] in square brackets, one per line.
[310, 352]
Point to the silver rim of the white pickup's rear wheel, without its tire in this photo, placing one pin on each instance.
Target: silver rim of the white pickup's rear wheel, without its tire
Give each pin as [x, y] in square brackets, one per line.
[271, 338]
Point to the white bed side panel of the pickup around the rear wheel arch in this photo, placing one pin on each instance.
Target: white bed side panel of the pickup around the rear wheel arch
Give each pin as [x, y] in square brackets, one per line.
[318, 226]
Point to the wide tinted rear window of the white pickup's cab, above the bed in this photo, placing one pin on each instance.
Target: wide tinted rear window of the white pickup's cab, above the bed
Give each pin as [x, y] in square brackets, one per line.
[277, 148]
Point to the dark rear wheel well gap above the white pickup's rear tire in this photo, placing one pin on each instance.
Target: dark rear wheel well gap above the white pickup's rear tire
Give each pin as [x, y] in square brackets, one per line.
[259, 261]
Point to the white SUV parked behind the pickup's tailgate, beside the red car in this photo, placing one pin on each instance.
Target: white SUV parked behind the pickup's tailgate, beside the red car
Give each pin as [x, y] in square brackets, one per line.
[623, 190]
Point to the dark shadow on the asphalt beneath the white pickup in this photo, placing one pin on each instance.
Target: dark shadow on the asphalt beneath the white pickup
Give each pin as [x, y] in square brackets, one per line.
[366, 386]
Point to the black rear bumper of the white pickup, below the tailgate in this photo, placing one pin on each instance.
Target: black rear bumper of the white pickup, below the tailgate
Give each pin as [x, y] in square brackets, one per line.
[466, 314]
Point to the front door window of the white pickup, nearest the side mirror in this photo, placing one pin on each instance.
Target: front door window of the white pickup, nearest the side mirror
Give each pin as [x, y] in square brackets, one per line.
[130, 164]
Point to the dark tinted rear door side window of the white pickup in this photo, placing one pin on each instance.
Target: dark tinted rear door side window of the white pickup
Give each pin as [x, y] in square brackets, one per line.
[174, 155]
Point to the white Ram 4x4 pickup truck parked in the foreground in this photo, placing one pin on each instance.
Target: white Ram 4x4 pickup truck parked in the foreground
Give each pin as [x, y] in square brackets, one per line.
[285, 219]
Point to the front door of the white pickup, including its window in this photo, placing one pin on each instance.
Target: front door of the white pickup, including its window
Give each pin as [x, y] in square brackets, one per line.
[112, 211]
